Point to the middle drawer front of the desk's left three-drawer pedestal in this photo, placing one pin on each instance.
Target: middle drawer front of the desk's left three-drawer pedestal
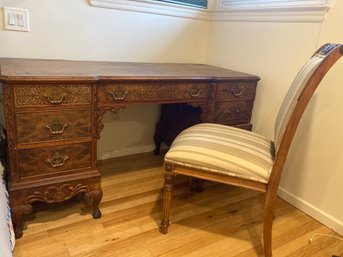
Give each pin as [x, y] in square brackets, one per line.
[53, 125]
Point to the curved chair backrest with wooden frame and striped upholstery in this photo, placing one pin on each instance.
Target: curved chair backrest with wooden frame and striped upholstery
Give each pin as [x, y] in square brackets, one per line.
[296, 101]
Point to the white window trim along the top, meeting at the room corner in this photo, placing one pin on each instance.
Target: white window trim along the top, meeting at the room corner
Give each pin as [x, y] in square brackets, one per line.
[229, 10]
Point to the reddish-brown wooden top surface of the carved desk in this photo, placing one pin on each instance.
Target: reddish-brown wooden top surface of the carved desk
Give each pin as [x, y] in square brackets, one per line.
[15, 69]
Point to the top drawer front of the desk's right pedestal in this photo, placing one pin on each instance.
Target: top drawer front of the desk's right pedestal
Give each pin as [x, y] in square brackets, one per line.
[236, 90]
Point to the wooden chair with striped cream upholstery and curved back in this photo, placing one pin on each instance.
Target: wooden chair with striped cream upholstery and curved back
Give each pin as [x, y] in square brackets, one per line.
[242, 158]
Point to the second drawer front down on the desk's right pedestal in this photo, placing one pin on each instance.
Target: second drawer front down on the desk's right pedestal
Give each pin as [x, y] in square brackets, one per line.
[236, 112]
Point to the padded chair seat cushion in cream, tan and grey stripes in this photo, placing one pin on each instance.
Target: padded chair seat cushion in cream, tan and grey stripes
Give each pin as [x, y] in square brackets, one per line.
[223, 149]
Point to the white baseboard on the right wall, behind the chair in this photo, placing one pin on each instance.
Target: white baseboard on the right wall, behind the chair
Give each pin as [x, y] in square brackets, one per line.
[312, 211]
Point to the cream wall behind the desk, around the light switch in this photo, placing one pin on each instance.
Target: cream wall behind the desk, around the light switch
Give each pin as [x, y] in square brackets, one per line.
[66, 29]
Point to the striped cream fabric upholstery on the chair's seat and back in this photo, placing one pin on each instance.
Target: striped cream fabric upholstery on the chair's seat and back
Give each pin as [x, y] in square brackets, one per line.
[235, 152]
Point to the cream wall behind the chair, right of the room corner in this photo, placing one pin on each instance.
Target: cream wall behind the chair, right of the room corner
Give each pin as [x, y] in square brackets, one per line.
[313, 176]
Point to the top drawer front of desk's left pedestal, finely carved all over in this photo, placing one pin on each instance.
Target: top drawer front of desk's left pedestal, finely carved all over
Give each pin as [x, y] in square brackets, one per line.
[51, 95]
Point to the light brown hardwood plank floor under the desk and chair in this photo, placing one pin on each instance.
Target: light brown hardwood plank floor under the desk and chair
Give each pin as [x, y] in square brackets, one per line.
[220, 221]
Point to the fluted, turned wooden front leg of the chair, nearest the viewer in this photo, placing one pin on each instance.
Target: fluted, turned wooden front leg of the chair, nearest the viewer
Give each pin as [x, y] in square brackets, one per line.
[167, 197]
